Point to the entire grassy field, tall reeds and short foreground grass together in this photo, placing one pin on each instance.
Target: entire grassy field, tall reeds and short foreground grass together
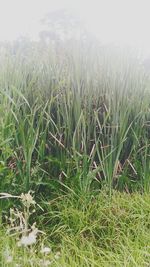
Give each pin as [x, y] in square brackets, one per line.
[75, 129]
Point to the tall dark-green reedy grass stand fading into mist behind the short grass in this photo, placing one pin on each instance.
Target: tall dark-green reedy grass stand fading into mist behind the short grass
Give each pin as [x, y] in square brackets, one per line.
[78, 114]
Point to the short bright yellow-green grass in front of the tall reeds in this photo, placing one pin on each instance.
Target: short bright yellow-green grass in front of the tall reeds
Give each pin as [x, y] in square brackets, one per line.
[87, 231]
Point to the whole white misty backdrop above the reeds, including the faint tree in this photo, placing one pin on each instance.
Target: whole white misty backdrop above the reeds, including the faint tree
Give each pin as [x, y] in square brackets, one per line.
[118, 22]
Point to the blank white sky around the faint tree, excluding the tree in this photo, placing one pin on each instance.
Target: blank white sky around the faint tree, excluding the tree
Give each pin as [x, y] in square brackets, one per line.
[116, 21]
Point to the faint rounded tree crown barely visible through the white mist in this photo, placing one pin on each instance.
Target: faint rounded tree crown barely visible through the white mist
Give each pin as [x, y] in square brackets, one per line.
[61, 25]
